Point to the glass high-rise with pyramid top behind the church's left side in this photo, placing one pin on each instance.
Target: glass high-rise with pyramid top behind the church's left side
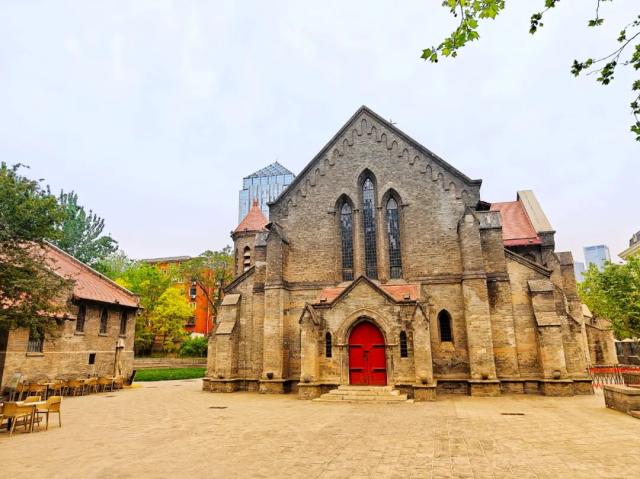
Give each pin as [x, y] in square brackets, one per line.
[264, 185]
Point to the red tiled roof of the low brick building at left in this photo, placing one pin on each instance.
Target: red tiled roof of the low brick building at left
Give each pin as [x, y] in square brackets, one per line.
[89, 284]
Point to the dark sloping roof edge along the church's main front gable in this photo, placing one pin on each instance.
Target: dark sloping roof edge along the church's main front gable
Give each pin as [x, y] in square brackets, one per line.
[350, 122]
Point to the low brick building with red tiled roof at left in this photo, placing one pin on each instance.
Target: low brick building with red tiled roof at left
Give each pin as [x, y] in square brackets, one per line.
[94, 336]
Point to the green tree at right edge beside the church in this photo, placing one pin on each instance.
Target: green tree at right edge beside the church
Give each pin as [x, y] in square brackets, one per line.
[614, 294]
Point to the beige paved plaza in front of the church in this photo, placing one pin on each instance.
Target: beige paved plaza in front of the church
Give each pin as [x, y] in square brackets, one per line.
[172, 429]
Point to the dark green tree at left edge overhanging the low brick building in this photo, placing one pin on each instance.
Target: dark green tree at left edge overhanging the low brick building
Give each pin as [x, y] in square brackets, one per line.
[30, 293]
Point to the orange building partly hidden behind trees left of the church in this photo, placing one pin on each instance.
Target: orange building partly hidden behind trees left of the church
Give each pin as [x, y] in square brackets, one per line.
[203, 319]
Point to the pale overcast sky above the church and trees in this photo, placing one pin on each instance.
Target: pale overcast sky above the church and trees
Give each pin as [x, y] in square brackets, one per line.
[153, 111]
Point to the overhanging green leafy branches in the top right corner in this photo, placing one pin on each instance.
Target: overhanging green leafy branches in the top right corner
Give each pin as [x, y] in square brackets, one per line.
[626, 51]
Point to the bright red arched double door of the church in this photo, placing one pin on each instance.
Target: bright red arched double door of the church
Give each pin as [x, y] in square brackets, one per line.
[367, 361]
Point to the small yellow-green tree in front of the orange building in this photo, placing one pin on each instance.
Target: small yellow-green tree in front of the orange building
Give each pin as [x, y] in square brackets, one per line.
[168, 318]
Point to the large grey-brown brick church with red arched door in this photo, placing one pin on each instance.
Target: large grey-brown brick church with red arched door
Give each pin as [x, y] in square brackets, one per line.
[381, 265]
